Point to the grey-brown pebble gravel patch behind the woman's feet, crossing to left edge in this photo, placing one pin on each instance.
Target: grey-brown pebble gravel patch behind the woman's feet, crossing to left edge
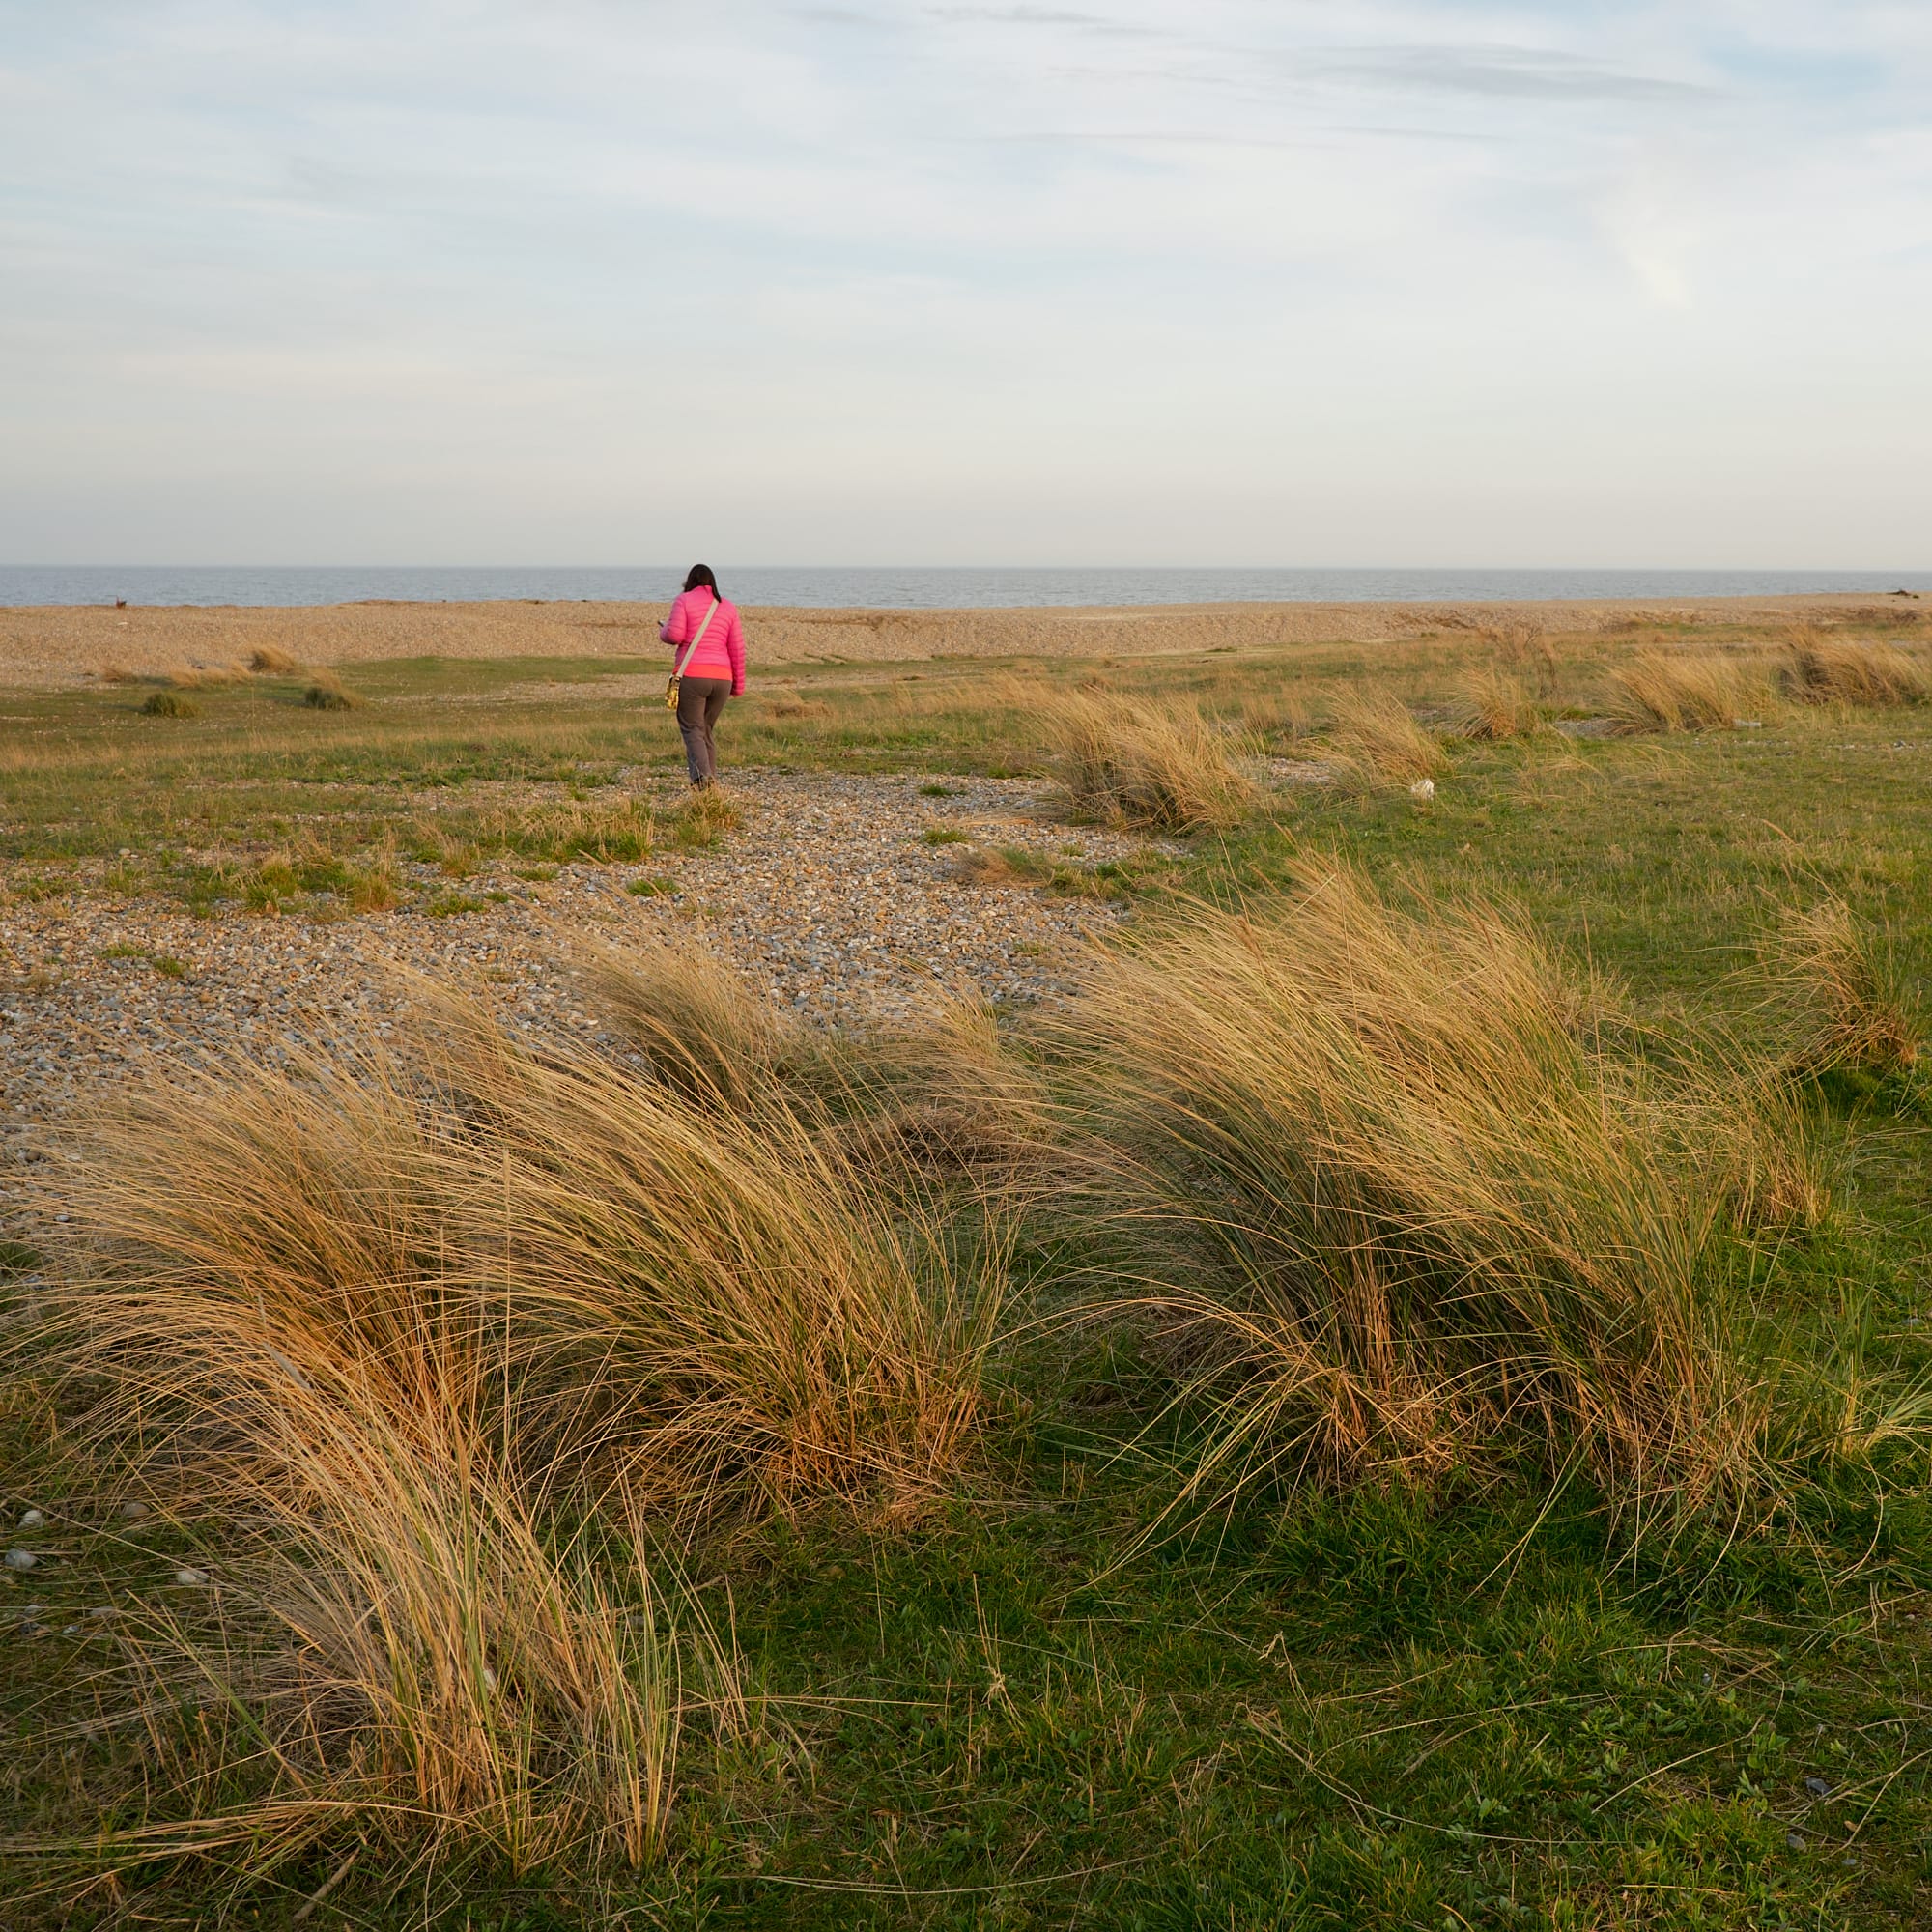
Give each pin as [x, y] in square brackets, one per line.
[830, 897]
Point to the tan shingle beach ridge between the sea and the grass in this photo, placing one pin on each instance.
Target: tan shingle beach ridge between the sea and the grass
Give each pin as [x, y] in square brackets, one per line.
[51, 646]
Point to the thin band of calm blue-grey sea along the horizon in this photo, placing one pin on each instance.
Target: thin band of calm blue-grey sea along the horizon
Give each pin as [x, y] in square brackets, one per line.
[921, 590]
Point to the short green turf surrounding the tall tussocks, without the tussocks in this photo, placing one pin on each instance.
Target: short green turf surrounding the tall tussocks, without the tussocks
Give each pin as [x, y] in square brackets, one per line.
[1309, 1713]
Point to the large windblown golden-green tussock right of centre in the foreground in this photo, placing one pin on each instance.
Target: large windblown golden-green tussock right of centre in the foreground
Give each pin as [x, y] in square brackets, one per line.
[1429, 1230]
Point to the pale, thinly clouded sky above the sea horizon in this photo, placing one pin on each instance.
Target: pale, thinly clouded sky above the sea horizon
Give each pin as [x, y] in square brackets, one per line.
[1307, 283]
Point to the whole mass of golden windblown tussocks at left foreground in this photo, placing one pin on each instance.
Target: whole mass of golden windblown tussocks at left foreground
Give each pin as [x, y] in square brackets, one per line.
[461, 1340]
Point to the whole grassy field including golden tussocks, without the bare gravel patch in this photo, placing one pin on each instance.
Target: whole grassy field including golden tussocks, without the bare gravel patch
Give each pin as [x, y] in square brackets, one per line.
[1406, 1409]
